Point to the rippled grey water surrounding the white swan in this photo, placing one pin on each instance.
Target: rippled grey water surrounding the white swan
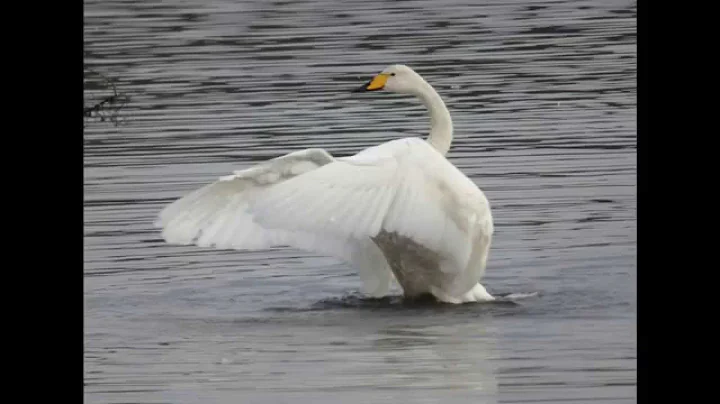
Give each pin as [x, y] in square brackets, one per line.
[543, 97]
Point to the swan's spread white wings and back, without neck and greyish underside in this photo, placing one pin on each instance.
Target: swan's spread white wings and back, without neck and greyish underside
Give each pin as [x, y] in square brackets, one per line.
[311, 201]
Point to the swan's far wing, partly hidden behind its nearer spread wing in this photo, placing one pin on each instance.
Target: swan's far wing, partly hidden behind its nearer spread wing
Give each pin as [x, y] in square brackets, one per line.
[218, 216]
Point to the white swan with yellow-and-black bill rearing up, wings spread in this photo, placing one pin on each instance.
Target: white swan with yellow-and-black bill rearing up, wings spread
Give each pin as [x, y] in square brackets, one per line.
[399, 208]
